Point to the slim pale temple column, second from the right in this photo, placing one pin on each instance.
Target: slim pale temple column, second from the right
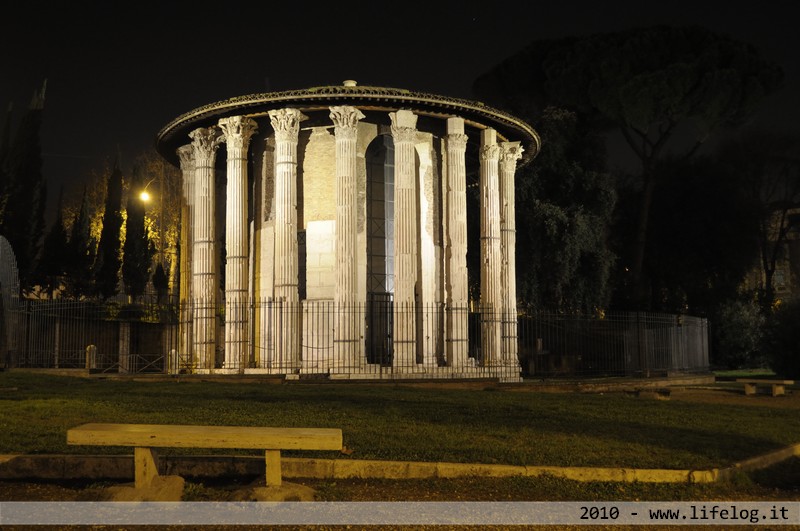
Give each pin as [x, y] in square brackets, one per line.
[490, 248]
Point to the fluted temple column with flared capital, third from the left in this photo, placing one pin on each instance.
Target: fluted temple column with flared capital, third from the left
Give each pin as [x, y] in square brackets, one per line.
[237, 131]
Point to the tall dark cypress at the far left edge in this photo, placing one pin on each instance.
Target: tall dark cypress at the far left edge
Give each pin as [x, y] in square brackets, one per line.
[26, 192]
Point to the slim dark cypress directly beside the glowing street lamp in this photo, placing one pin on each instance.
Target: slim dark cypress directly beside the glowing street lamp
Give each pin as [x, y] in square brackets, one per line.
[138, 250]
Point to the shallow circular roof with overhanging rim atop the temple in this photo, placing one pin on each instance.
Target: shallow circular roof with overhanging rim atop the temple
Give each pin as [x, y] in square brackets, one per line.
[475, 114]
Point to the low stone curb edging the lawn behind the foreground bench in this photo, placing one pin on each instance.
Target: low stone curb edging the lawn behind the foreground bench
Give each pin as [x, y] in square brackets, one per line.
[120, 467]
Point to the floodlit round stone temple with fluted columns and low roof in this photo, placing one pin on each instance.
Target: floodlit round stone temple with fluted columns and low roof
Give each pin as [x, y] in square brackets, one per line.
[345, 233]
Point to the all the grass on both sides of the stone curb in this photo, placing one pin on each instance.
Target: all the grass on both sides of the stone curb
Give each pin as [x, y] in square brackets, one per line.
[697, 428]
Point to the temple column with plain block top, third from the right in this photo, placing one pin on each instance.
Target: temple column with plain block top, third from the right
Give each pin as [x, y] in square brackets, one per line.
[456, 284]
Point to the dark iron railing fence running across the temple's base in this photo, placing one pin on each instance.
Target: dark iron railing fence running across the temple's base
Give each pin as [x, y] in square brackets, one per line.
[377, 339]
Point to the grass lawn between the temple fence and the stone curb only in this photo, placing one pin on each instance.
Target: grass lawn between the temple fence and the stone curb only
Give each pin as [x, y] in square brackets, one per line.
[396, 422]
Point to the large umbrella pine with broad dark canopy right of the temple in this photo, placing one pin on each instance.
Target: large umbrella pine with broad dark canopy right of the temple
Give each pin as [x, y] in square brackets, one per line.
[665, 90]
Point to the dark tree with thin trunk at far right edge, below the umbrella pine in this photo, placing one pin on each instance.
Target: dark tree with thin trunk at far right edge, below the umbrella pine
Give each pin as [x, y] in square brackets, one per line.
[768, 165]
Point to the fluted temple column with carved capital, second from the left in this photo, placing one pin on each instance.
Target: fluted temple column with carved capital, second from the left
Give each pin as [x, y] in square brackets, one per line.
[204, 280]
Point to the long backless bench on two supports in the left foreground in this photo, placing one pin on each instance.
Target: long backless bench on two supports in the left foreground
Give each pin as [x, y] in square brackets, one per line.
[145, 437]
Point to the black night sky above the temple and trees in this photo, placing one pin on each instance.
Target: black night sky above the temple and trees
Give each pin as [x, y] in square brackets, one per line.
[117, 72]
